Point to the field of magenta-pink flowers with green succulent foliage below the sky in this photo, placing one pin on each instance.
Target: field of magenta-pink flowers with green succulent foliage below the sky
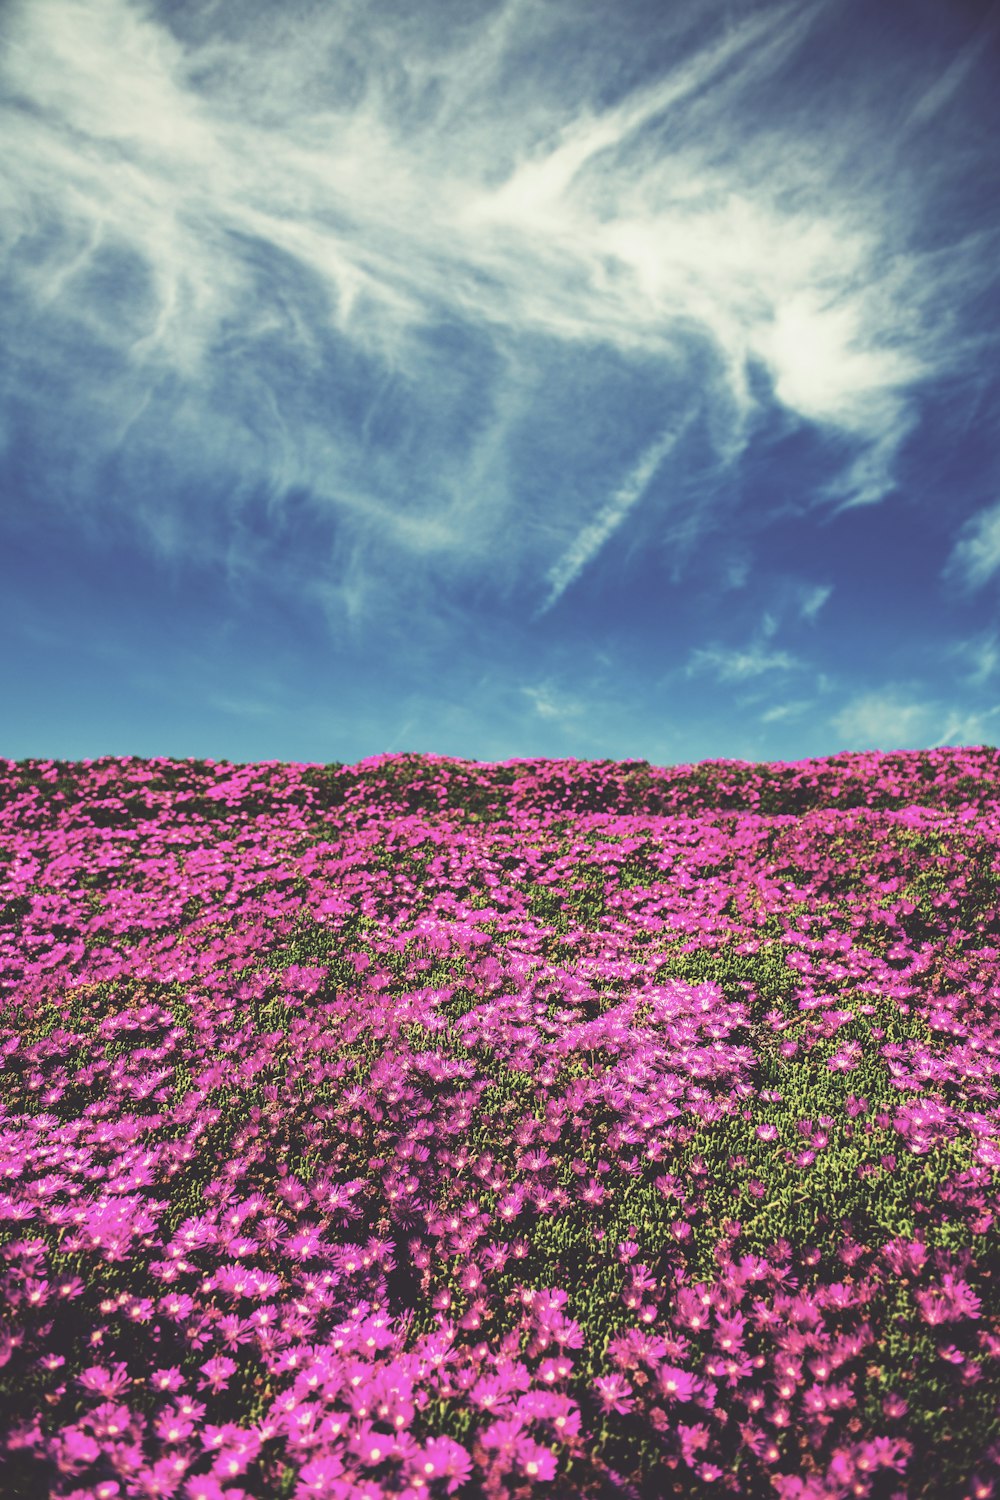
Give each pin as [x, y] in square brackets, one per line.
[430, 1129]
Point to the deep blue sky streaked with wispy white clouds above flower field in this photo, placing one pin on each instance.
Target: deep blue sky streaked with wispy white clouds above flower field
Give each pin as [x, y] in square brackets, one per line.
[499, 379]
